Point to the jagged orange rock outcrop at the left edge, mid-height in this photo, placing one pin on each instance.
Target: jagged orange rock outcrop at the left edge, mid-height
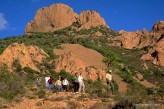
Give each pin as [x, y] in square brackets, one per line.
[24, 54]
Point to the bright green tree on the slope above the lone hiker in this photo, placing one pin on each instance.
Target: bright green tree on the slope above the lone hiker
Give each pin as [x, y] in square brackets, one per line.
[109, 58]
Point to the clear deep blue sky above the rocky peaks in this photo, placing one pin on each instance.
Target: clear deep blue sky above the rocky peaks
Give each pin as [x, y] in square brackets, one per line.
[128, 15]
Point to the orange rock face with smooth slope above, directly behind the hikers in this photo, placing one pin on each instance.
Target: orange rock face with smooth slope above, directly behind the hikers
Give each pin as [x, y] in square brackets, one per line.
[76, 58]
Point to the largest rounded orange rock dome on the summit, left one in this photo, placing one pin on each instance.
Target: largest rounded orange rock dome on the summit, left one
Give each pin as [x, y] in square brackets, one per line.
[52, 18]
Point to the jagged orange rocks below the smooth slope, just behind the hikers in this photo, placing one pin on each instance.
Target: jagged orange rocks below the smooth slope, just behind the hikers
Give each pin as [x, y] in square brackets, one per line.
[70, 63]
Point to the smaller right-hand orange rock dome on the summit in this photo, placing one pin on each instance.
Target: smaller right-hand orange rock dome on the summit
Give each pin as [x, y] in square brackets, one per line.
[89, 19]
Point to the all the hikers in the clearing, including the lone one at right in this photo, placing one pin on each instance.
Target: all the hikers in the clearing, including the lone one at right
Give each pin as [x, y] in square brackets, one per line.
[62, 84]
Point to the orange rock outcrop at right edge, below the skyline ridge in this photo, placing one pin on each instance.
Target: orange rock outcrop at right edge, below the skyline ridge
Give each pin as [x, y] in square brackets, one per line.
[156, 53]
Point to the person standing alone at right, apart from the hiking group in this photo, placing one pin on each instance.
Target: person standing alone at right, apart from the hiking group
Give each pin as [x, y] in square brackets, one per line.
[109, 81]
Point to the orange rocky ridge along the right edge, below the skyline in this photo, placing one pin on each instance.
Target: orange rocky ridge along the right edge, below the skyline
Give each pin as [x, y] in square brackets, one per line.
[152, 40]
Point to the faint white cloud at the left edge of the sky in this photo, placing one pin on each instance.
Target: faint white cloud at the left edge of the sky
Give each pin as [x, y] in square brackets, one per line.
[3, 22]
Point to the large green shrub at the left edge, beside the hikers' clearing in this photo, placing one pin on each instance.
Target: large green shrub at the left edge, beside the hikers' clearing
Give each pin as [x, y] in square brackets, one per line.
[10, 85]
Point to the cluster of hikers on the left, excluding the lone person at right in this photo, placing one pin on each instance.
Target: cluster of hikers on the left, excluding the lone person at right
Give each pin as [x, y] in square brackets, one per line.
[62, 84]
